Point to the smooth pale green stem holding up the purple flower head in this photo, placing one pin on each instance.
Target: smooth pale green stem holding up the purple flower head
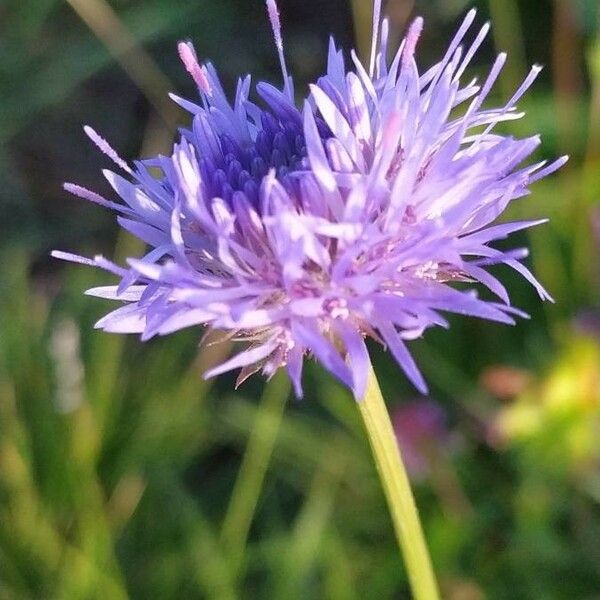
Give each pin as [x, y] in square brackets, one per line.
[398, 492]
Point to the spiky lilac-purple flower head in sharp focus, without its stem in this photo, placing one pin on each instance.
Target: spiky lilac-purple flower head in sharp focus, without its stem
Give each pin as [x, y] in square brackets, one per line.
[304, 231]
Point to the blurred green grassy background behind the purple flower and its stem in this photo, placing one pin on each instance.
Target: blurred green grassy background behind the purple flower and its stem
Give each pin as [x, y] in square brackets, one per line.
[124, 475]
